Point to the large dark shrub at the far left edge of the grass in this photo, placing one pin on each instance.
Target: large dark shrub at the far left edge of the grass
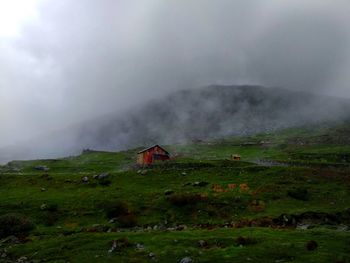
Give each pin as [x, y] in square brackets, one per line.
[12, 224]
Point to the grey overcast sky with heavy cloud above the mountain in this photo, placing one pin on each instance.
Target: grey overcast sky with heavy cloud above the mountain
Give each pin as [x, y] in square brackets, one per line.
[65, 61]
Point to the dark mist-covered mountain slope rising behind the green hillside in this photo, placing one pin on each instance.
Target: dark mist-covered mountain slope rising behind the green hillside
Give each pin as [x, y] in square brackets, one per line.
[206, 113]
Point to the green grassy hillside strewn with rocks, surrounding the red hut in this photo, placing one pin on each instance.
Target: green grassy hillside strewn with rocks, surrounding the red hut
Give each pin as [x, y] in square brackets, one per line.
[286, 201]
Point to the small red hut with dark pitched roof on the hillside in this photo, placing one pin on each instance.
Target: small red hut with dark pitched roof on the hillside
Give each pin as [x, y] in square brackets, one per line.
[151, 154]
